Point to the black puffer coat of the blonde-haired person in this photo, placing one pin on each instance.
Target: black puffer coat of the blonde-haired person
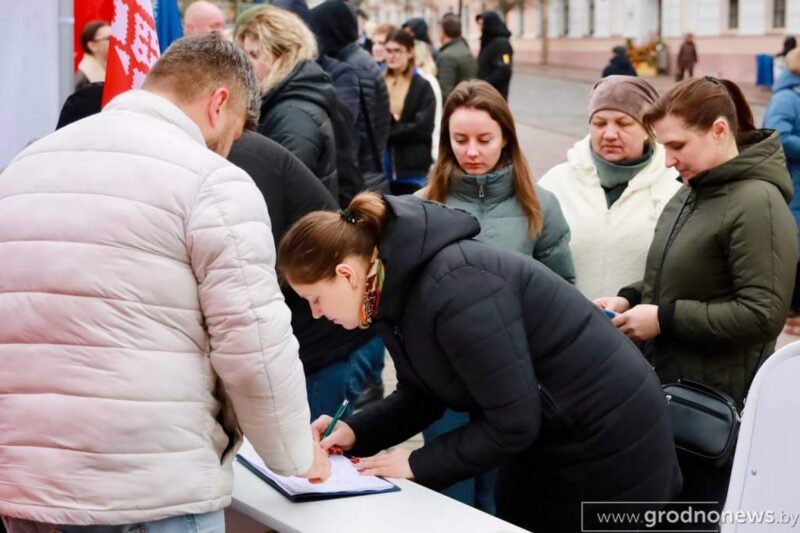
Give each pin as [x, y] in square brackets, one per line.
[298, 114]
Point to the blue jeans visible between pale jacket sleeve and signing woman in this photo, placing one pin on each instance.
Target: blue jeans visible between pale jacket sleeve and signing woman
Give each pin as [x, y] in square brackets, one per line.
[328, 387]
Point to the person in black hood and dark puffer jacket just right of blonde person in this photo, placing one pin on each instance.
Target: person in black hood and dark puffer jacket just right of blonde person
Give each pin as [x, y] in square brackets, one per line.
[336, 27]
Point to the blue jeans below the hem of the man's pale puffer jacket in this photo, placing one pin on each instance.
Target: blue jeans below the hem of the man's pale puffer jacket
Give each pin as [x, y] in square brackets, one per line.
[213, 522]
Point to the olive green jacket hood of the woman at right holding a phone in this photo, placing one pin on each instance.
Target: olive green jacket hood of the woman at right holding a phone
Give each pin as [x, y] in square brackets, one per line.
[760, 158]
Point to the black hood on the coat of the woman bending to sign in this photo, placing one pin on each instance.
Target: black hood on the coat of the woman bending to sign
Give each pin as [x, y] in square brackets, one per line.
[416, 231]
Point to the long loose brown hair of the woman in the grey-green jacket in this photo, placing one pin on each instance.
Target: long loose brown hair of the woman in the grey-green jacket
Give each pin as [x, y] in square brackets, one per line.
[476, 94]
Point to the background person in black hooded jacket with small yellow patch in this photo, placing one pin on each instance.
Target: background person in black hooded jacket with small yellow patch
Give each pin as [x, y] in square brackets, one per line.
[496, 55]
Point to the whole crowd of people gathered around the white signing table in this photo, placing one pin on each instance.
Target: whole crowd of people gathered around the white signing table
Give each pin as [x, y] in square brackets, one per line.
[230, 250]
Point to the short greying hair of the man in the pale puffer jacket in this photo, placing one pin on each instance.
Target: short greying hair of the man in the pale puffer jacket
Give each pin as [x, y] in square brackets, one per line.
[197, 64]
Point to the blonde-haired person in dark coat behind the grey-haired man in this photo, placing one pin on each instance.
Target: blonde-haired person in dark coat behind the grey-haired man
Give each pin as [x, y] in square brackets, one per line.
[299, 103]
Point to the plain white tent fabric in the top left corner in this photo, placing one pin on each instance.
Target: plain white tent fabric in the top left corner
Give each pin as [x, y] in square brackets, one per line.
[30, 69]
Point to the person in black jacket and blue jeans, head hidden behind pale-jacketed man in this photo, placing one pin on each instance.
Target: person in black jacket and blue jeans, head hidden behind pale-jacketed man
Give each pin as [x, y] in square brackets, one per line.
[292, 191]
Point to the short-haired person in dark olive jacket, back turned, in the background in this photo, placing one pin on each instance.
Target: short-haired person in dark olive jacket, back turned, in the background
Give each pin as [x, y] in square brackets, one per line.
[455, 62]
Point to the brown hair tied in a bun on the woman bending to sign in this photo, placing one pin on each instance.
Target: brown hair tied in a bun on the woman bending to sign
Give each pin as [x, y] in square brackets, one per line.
[315, 244]
